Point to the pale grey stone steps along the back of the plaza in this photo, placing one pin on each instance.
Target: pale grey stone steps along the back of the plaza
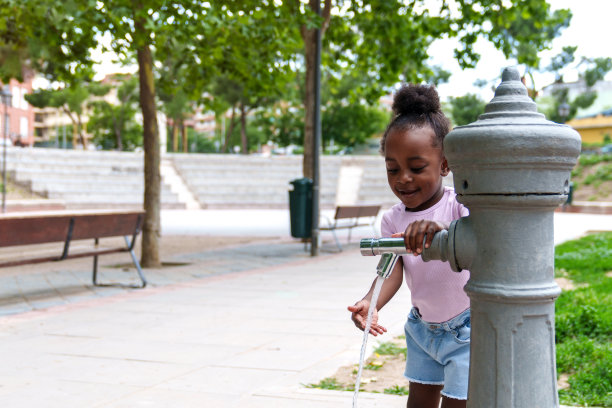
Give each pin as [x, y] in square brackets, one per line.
[102, 179]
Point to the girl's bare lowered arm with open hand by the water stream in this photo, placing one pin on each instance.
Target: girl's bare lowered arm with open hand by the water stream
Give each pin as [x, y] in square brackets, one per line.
[359, 311]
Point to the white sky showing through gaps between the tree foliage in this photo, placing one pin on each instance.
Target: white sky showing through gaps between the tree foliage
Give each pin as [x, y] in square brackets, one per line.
[589, 30]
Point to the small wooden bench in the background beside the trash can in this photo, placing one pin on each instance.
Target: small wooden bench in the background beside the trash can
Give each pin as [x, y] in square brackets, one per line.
[349, 217]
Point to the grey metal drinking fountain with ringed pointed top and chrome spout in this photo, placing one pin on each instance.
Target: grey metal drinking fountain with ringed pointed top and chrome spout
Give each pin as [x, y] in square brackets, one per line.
[511, 169]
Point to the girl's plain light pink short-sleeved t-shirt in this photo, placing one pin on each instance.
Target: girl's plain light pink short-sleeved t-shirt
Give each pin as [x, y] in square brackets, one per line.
[435, 289]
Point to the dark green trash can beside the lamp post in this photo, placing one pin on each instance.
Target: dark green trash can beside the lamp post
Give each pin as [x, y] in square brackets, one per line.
[300, 208]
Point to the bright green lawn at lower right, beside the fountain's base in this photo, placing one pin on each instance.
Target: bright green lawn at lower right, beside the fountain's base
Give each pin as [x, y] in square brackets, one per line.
[584, 321]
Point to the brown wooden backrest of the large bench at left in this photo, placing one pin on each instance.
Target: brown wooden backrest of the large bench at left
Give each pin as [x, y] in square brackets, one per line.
[40, 228]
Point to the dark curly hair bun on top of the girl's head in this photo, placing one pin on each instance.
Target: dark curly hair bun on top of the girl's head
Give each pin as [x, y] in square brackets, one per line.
[416, 100]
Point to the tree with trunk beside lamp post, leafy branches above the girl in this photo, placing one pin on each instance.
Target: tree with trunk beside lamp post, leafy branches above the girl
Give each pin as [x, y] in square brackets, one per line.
[386, 41]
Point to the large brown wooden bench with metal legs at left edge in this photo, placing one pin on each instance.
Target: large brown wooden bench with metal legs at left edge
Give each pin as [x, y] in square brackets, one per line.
[24, 229]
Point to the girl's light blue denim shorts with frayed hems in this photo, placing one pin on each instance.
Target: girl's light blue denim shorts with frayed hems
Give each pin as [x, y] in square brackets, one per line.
[439, 353]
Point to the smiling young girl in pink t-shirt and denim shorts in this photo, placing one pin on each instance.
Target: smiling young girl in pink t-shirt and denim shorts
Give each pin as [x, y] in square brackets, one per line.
[438, 326]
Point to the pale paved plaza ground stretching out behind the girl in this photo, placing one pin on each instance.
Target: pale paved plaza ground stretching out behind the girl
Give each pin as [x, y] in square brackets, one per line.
[245, 327]
